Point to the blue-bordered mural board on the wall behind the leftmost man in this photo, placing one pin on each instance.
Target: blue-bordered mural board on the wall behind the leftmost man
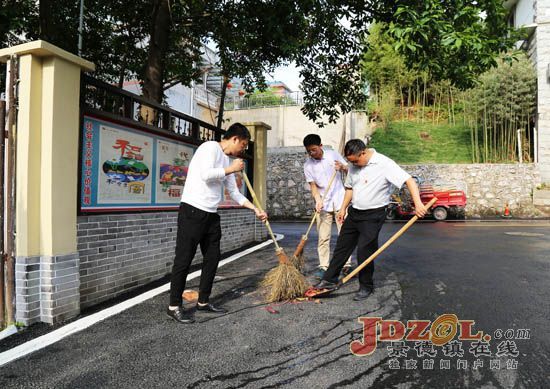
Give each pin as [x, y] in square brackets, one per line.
[127, 169]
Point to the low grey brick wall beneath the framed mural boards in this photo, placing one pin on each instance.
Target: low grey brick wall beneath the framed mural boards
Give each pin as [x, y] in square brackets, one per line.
[121, 252]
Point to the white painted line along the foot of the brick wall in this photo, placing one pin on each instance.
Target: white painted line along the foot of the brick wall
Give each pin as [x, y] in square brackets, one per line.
[81, 324]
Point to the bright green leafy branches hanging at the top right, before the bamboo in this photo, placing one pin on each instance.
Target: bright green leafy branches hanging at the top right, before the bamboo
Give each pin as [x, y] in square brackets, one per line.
[469, 34]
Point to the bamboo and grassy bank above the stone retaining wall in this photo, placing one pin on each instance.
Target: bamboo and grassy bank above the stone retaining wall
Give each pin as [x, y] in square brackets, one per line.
[421, 117]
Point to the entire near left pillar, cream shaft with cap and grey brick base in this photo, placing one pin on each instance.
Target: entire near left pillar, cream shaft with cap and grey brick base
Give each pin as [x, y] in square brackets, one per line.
[46, 181]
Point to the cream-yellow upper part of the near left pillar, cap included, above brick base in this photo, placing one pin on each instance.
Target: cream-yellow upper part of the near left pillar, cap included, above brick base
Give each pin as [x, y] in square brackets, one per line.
[47, 148]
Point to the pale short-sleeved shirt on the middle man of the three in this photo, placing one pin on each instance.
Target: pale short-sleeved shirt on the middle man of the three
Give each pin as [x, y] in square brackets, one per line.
[320, 171]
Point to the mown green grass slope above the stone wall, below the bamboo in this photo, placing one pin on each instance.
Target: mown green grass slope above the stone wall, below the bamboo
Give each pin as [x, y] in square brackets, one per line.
[412, 142]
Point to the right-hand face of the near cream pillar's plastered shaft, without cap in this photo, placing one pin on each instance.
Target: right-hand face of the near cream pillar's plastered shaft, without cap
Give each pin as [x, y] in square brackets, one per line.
[60, 129]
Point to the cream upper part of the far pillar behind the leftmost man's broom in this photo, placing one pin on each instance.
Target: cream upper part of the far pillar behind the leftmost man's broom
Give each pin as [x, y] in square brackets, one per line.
[258, 131]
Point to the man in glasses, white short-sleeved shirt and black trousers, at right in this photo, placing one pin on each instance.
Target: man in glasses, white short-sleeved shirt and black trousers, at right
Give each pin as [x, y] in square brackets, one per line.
[368, 188]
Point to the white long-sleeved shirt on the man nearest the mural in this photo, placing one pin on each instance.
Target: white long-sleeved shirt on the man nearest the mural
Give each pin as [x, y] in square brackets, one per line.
[206, 177]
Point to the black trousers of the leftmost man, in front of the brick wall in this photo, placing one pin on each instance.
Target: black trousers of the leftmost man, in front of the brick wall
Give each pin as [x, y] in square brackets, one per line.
[195, 227]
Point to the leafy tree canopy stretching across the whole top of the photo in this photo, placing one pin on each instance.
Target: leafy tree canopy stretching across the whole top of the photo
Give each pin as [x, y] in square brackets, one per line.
[323, 37]
